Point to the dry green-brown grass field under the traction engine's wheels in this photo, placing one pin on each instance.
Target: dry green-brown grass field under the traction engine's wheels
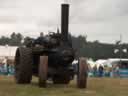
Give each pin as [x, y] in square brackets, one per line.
[95, 87]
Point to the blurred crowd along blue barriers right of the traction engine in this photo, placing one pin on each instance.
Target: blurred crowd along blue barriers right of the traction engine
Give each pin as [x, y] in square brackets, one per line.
[100, 70]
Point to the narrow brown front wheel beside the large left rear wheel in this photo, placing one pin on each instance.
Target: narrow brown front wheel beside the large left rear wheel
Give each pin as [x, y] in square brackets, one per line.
[43, 71]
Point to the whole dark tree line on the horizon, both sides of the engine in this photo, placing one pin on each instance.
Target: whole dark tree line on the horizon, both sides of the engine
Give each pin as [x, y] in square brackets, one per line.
[81, 46]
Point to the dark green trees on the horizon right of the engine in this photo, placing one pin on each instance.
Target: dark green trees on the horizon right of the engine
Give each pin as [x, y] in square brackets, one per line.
[96, 49]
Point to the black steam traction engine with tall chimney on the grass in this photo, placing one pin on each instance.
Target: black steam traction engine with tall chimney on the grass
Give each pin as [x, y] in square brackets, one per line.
[50, 57]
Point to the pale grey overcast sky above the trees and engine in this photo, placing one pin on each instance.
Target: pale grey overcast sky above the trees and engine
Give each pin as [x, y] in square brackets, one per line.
[102, 20]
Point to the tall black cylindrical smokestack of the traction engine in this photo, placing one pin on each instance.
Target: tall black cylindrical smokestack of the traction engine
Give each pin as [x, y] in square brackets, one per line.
[64, 21]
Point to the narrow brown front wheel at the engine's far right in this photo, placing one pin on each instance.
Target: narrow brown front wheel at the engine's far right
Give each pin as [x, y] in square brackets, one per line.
[82, 73]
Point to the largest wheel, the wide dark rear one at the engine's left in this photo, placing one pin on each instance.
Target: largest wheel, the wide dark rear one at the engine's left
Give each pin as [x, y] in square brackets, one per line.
[23, 65]
